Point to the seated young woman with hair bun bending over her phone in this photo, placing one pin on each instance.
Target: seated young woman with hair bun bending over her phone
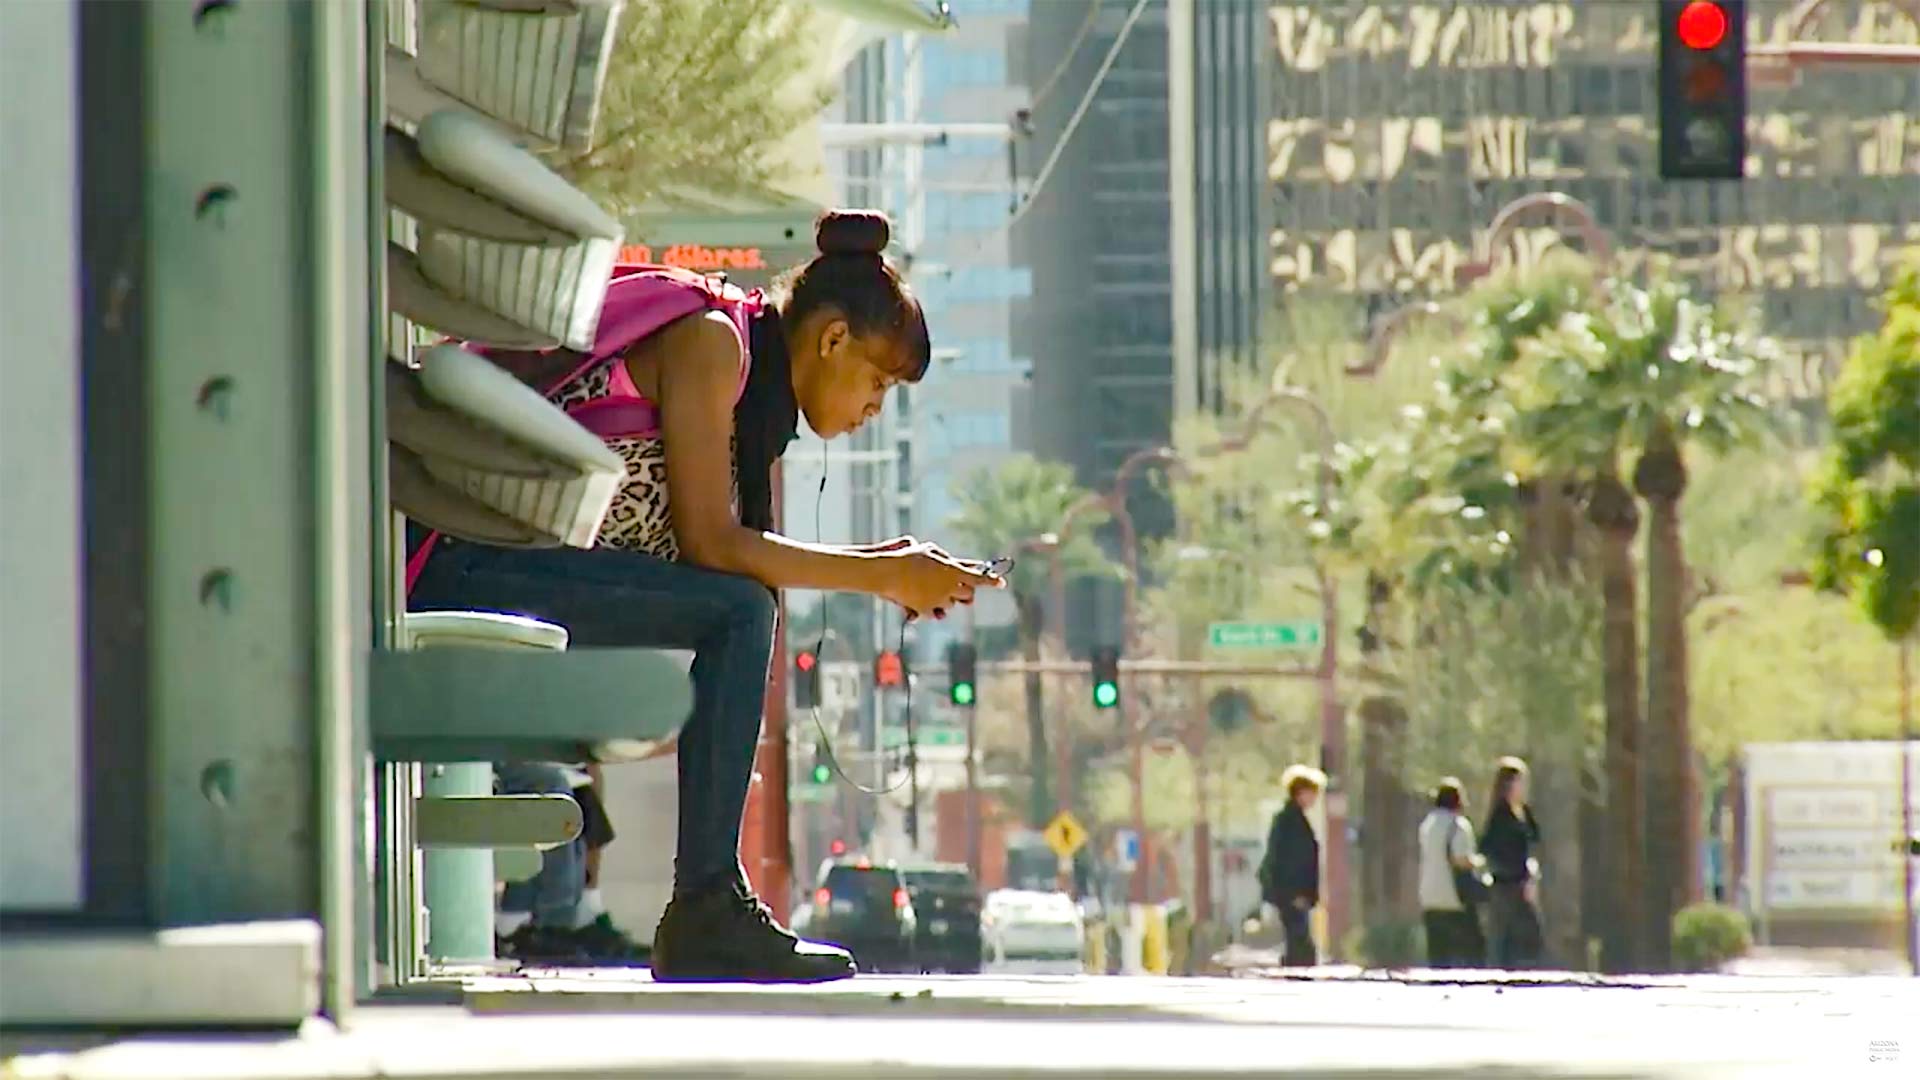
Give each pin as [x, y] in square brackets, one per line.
[688, 558]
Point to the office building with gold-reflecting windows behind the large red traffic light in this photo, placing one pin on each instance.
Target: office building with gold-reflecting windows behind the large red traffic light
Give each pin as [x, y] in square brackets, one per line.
[1399, 132]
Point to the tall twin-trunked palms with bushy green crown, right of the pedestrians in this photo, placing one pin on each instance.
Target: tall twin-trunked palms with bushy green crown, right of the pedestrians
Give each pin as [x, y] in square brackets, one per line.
[1652, 372]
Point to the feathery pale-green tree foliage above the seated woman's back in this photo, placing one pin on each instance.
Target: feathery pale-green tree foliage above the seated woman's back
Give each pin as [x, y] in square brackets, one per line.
[702, 97]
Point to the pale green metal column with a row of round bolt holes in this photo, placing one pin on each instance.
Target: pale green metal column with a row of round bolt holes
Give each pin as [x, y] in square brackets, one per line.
[254, 289]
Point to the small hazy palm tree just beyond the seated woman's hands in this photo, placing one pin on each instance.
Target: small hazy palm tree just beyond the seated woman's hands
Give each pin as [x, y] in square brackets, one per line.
[1003, 508]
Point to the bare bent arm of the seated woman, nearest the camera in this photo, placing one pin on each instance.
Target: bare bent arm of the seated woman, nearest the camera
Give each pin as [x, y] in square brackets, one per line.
[698, 374]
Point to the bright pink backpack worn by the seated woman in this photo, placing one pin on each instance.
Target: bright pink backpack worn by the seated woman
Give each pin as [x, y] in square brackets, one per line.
[640, 301]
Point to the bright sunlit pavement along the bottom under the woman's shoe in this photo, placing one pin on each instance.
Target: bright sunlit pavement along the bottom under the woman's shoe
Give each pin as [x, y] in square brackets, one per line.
[1335, 1025]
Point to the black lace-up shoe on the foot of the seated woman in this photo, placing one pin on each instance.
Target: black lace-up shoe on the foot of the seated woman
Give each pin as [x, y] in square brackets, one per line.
[729, 935]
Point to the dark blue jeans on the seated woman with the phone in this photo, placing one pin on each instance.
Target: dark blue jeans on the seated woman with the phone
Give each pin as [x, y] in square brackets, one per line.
[610, 599]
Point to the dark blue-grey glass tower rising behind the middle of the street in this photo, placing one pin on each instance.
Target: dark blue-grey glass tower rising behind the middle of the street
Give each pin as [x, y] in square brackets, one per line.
[1099, 241]
